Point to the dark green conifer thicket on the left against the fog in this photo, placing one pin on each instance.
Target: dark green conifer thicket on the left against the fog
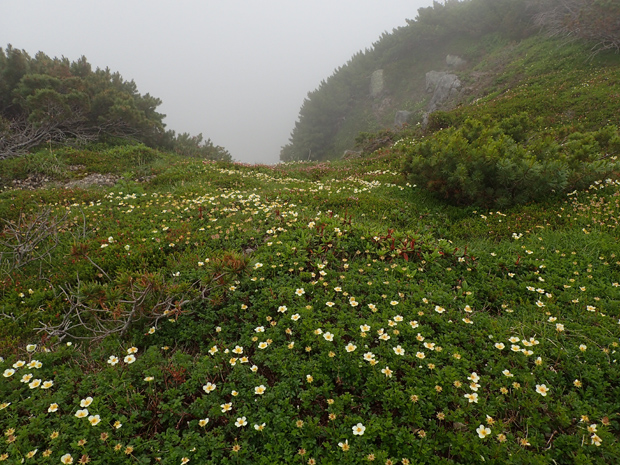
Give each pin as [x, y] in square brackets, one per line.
[54, 100]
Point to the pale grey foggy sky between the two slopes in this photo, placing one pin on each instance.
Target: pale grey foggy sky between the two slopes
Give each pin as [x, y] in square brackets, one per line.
[235, 70]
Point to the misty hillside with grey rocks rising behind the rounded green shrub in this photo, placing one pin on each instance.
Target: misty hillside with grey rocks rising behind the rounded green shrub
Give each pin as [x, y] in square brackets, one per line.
[450, 56]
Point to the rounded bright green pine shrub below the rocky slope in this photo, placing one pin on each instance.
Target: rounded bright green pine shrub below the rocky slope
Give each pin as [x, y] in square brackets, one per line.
[506, 163]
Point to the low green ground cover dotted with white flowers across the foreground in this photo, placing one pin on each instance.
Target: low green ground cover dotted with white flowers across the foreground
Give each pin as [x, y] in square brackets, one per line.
[306, 313]
